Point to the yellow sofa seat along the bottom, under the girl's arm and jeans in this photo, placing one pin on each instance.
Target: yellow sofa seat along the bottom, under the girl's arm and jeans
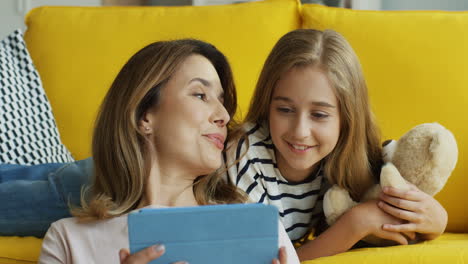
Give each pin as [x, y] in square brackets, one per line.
[448, 248]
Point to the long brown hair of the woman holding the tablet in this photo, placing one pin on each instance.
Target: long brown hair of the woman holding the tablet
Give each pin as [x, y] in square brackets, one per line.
[121, 152]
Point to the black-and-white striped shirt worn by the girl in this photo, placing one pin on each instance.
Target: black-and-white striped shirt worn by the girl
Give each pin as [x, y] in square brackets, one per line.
[299, 203]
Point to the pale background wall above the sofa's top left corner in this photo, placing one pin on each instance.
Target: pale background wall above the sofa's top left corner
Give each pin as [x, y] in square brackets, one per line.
[12, 12]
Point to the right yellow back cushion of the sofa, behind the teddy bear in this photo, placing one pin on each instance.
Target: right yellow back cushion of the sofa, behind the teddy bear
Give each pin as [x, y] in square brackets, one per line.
[415, 63]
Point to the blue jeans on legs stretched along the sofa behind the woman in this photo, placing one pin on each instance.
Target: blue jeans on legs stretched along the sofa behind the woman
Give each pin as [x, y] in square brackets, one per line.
[32, 197]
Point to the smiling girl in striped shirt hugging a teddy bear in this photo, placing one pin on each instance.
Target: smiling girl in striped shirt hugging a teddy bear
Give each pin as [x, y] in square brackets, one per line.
[310, 125]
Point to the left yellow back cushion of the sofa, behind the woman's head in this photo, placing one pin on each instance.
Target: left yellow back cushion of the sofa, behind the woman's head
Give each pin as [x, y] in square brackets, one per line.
[79, 50]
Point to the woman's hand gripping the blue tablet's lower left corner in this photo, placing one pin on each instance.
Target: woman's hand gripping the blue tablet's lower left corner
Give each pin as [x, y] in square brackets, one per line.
[143, 256]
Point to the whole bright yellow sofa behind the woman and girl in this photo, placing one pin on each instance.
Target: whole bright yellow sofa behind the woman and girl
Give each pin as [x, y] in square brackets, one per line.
[415, 63]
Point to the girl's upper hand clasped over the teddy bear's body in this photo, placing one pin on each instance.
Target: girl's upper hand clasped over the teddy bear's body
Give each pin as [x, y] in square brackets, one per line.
[421, 212]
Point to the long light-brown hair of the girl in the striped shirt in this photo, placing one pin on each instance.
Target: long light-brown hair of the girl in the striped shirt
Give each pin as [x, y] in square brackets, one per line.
[357, 156]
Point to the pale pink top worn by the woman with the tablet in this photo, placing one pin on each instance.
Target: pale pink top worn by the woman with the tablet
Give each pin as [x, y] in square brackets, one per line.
[68, 241]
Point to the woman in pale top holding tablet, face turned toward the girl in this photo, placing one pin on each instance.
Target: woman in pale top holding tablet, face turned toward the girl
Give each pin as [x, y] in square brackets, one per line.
[157, 142]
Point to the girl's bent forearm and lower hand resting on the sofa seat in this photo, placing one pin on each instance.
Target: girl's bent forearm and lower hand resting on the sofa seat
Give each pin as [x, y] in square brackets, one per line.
[362, 220]
